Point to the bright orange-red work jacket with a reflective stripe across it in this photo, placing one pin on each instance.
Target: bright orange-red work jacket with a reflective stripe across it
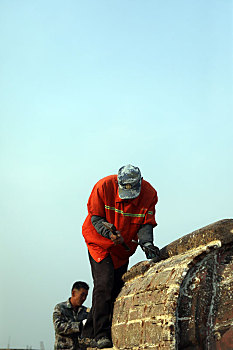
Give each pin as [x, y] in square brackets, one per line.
[126, 215]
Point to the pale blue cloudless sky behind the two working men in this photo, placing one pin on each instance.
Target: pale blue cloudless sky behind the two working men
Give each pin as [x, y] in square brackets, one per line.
[89, 86]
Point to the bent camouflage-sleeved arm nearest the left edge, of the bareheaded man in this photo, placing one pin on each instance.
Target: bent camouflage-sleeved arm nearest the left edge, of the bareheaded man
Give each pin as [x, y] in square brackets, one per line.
[62, 325]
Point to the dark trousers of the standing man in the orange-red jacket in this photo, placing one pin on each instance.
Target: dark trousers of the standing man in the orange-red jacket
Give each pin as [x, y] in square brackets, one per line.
[107, 285]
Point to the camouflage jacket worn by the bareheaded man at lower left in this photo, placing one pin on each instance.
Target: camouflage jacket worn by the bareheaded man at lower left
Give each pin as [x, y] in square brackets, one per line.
[68, 325]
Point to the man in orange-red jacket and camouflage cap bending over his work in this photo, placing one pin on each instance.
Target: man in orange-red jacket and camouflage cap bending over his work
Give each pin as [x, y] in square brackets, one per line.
[128, 202]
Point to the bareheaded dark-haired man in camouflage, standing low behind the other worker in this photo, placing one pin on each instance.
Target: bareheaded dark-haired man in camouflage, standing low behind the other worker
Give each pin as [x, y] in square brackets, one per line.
[68, 318]
